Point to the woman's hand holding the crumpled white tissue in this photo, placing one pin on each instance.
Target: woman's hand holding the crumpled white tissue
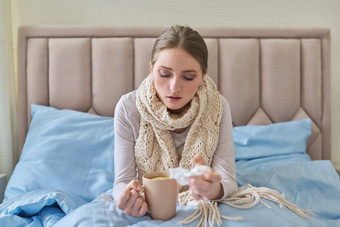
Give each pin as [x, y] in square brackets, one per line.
[207, 186]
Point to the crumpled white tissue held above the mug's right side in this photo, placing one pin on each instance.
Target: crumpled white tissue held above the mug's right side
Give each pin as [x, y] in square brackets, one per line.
[182, 175]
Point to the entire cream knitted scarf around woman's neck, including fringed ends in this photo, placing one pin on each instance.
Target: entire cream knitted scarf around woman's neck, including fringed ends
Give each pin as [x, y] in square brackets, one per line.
[155, 150]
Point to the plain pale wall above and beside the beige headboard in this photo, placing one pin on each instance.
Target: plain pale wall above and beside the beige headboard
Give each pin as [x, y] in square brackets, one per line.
[260, 13]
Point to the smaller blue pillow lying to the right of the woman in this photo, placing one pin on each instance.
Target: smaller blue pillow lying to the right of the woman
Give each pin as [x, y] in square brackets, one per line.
[257, 141]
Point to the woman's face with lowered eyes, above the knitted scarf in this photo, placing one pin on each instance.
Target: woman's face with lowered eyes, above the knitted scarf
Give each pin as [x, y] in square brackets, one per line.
[176, 75]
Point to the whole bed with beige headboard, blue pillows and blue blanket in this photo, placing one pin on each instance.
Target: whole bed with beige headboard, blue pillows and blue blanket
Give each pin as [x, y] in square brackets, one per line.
[277, 82]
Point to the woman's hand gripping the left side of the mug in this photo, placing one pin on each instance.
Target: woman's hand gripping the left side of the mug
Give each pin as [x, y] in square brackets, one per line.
[131, 202]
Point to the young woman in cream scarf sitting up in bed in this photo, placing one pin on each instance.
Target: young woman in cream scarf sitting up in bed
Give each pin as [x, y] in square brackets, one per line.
[175, 118]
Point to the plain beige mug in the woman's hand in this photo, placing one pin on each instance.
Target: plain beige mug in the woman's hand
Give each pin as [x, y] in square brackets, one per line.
[161, 195]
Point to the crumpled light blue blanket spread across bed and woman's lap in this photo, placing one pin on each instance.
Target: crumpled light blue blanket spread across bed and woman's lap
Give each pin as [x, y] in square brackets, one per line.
[312, 185]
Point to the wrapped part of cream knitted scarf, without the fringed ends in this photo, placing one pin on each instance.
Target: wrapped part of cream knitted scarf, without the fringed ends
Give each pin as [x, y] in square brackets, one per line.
[155, 149]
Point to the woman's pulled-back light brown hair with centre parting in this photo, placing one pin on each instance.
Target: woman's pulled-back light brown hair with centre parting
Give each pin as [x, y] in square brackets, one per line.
[185, 38]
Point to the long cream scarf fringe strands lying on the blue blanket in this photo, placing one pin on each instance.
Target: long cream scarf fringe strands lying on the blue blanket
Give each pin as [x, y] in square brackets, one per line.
[245, 198]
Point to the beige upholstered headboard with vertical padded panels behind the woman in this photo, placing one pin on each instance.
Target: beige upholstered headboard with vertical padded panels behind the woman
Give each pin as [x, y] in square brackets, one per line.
[267, 74]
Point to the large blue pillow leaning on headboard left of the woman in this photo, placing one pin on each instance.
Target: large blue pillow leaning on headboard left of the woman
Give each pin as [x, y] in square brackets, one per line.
[67, 151]
